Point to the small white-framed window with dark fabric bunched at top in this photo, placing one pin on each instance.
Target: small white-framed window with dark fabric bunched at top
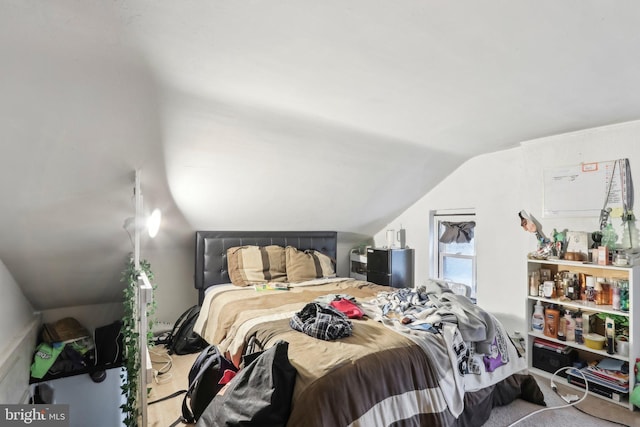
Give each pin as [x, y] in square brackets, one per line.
[454, 248]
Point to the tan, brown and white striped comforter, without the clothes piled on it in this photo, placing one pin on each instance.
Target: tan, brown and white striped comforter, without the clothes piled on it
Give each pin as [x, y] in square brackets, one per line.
[377, 376]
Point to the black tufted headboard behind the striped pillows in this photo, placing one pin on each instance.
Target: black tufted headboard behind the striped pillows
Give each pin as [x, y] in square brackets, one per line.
[211, 250]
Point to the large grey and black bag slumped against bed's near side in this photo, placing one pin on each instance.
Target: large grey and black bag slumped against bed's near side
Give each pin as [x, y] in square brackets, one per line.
[259, 395]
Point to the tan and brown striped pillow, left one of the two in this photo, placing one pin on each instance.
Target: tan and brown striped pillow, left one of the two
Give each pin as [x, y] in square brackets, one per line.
[256, 264]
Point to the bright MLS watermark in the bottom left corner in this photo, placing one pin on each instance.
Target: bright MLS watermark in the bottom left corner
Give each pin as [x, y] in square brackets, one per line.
[34, 415]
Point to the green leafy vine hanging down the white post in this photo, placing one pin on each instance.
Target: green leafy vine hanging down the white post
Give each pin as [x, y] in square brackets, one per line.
[130, 337]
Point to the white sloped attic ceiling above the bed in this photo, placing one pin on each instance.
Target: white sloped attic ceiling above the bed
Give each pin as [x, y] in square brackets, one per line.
[273, 115]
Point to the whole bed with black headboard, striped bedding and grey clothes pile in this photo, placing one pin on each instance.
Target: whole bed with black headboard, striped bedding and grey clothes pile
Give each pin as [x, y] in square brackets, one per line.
[423, 356]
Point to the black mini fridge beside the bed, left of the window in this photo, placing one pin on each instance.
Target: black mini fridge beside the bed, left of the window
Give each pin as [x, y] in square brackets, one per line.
[390, 267]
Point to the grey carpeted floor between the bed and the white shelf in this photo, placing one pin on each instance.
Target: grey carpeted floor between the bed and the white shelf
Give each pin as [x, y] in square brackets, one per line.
[593, 412]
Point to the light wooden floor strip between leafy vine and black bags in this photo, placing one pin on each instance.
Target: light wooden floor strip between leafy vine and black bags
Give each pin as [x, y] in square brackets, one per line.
[163, 414]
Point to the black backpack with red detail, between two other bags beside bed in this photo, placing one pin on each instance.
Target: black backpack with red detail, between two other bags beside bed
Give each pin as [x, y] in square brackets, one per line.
[205, 377]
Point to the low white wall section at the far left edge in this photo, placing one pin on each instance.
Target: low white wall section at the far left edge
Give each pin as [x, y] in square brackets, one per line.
[17, 339]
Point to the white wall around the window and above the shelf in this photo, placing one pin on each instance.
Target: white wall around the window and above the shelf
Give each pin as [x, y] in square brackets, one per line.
[498, 186]
